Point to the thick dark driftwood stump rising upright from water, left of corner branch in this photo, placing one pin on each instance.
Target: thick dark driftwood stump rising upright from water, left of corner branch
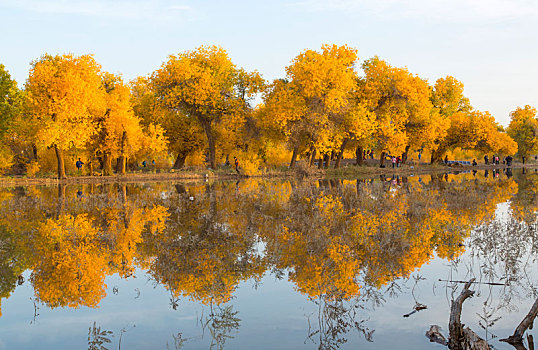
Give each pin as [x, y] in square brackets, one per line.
[460, 338]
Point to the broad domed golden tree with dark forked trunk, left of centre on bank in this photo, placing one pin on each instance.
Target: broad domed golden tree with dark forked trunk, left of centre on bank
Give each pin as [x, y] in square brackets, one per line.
[206, 86]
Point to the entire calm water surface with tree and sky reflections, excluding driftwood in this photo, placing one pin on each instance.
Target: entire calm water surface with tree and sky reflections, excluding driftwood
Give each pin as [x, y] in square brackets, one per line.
[266, 264]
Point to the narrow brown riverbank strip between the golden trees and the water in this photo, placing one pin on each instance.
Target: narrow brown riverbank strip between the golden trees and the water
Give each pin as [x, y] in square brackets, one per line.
[348, 171]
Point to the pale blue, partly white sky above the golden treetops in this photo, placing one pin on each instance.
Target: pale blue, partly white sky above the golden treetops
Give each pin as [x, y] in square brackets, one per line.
[489, 45]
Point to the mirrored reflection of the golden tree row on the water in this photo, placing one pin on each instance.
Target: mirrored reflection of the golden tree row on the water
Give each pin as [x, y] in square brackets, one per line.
[343, 244]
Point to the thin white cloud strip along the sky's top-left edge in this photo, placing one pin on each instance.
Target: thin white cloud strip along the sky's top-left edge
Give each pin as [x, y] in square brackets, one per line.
[118, 9]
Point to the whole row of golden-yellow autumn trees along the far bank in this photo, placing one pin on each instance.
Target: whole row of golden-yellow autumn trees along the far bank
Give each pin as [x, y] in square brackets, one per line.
[200, 109]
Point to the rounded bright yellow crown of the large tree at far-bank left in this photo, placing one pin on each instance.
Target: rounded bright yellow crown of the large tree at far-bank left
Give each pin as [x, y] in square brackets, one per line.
[63, 94]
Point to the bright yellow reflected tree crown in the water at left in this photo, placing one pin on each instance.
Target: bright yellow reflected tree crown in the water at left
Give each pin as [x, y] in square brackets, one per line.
[71, 266]
